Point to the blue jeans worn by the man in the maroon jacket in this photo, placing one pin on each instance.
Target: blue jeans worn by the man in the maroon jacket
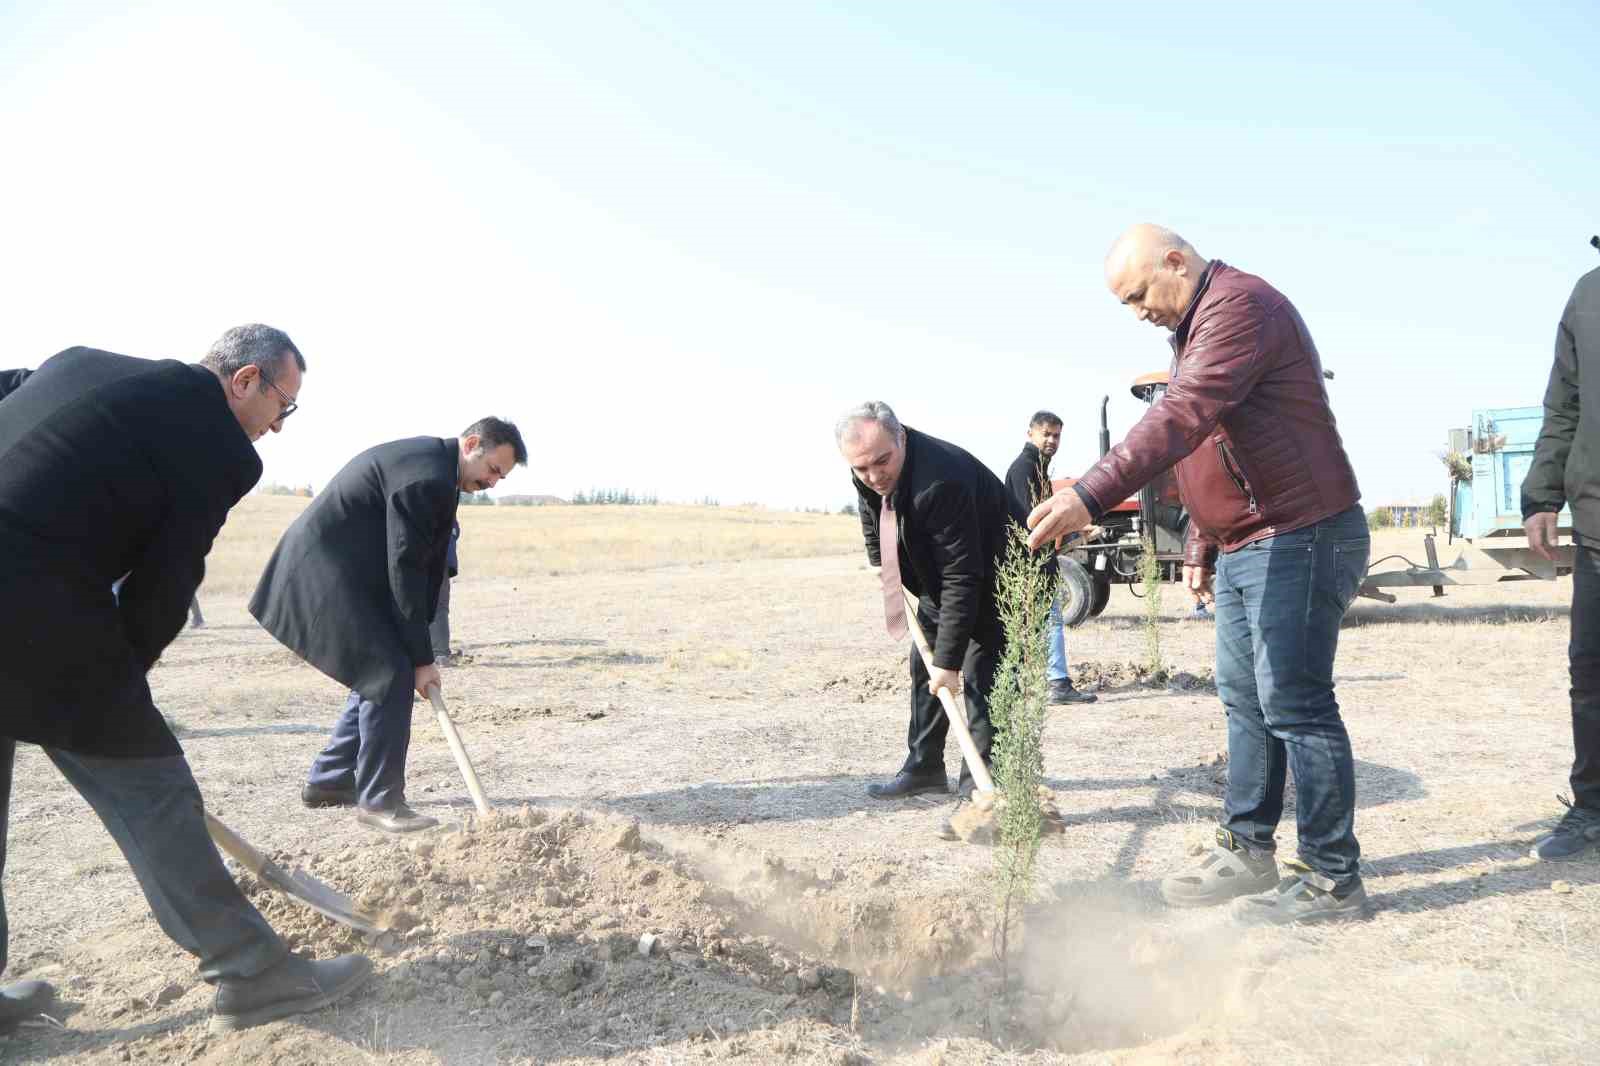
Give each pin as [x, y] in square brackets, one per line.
[1279, 604]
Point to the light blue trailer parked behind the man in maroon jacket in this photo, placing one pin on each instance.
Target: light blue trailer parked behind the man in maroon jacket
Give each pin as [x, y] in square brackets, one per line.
[1492, 459]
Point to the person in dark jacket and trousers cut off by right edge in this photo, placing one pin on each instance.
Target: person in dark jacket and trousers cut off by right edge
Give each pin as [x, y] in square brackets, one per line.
[1567, 473]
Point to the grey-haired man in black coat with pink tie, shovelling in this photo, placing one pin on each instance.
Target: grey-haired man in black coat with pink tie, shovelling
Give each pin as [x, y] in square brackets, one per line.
[950, 531]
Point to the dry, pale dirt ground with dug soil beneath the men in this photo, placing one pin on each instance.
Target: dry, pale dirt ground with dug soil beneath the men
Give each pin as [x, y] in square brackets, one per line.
[682, 753]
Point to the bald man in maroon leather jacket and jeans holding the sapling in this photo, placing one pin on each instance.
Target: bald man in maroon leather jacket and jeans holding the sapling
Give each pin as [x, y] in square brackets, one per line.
[1278, 527]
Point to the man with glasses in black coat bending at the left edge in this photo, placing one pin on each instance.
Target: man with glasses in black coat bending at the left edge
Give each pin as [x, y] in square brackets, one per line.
[118, 470]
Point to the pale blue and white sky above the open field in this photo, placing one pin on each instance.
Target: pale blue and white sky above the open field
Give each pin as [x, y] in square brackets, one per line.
[674, 241]
